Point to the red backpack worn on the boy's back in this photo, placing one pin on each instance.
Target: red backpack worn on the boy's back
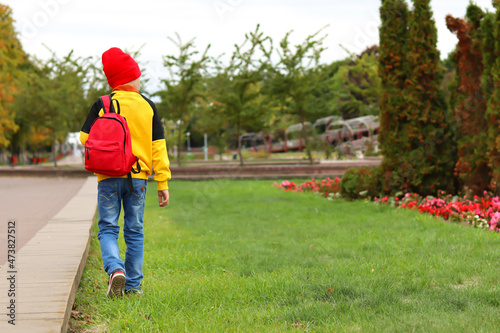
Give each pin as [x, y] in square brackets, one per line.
[108, 149]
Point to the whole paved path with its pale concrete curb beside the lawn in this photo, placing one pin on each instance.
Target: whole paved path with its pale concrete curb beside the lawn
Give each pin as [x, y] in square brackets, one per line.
[53, 218]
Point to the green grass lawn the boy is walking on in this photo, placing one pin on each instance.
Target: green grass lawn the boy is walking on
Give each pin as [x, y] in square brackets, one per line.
[242, 256]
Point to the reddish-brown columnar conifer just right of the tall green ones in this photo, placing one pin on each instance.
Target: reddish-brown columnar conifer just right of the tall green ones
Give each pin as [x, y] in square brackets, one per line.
[469, 102]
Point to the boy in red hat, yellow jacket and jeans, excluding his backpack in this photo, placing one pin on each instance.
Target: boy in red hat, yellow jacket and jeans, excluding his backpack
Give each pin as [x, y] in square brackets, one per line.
[148, 144]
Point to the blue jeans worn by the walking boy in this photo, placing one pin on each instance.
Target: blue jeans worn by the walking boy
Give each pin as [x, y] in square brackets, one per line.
[112, 192]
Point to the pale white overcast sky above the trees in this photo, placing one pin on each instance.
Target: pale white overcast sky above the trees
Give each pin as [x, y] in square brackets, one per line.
[89, 27]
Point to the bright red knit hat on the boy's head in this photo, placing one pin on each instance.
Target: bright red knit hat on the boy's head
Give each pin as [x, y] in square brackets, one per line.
[119, 67]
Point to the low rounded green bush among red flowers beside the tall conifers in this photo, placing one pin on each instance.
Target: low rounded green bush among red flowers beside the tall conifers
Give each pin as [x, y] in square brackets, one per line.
[361, 182]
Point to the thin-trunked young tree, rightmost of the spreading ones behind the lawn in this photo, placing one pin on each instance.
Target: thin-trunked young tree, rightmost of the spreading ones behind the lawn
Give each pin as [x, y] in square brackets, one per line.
[295, 81]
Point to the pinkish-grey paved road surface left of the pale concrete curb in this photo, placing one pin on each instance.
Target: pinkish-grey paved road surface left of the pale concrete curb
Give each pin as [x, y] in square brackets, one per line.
[31, 202]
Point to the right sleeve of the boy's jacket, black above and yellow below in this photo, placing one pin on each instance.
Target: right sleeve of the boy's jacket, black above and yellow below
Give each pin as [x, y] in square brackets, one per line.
[161, 163]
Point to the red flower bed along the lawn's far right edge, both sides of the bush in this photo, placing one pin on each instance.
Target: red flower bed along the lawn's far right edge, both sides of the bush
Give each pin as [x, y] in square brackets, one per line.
[479, 212]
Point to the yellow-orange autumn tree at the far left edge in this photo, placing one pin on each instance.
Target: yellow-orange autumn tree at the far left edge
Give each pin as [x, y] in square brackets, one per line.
[12, 59]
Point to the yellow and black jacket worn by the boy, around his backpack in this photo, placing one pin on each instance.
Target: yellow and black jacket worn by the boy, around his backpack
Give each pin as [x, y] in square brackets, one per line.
[146, 131]
